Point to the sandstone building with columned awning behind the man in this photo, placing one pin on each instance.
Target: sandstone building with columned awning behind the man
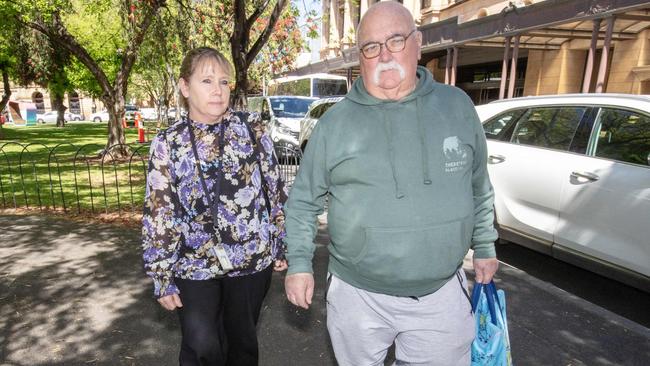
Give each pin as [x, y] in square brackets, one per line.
[496, 49]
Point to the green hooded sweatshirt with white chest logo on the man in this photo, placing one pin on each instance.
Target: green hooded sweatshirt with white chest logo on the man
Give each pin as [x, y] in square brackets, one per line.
[407, 187]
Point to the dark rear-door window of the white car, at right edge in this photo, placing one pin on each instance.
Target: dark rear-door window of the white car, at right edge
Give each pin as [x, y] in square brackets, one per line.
[623, 135]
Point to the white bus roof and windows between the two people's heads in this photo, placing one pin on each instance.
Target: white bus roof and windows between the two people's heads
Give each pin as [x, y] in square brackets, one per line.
[313, 85]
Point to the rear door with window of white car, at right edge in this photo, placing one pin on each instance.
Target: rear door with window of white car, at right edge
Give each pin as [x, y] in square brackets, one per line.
[605, 200]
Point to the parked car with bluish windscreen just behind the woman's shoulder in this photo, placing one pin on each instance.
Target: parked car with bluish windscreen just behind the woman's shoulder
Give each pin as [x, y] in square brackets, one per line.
[282, 114]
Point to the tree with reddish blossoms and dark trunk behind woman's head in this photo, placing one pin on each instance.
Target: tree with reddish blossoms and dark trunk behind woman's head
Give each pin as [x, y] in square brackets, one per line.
[185, 24]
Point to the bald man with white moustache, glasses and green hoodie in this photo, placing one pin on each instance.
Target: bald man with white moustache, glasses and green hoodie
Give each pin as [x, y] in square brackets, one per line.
[402, 160]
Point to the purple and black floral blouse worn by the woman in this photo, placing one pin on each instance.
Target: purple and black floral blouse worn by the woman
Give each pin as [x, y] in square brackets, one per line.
[178, 232]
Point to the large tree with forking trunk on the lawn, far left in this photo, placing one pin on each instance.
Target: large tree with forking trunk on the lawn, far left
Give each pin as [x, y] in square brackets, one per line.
[52, 18]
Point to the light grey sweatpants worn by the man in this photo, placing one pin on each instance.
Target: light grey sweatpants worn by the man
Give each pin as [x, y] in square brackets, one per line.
[436, 329]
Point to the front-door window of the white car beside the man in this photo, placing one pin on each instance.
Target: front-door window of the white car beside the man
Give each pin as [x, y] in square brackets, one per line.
[549, 127]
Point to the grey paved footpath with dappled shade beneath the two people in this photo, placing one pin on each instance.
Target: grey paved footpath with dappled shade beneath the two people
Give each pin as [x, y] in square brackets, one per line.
[75, 294]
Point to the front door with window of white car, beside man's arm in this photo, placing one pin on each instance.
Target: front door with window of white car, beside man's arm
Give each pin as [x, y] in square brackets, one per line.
[525, 163]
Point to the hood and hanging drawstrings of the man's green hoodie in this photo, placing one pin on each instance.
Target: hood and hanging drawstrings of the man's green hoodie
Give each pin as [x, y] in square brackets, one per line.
[424, 86]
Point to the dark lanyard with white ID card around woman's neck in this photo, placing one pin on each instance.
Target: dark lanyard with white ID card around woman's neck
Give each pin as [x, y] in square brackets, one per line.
[218, 249]
